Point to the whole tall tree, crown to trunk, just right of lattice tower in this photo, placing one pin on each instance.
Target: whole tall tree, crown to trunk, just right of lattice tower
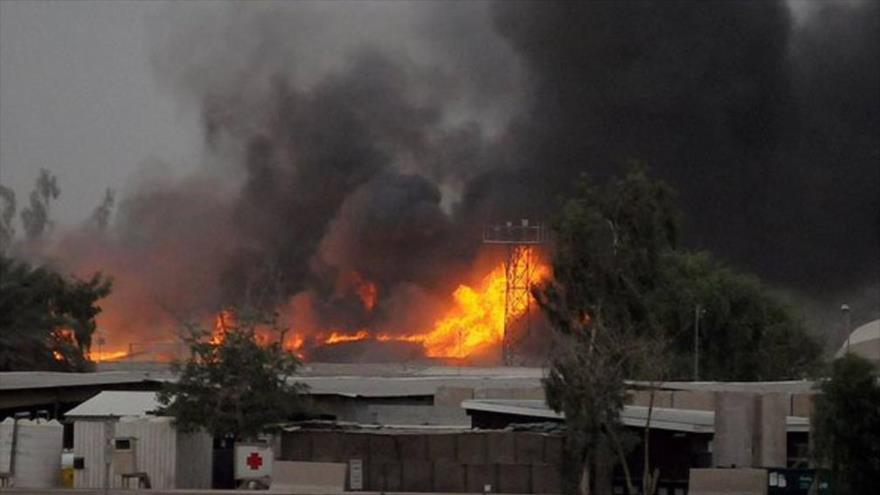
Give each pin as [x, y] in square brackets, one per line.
[610, 243]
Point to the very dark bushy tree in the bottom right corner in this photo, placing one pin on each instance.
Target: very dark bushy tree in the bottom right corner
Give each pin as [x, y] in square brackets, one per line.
[846, 425]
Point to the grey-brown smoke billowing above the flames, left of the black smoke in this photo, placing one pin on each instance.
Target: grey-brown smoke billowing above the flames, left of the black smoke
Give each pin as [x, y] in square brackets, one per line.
[350, 130]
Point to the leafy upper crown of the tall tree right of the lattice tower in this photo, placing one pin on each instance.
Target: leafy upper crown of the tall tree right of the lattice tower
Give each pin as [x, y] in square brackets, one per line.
[609, 245]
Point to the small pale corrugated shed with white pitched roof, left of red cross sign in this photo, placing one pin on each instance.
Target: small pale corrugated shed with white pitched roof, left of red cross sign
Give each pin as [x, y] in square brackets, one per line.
[117, 435]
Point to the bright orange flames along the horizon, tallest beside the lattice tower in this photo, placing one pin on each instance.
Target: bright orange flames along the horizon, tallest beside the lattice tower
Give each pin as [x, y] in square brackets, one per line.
[474, 323]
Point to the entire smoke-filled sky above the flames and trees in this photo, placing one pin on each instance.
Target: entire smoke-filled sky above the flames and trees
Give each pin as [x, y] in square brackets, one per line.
[303, 142]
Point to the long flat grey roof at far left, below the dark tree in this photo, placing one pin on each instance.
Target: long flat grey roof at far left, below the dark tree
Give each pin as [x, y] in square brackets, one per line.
[17, 380]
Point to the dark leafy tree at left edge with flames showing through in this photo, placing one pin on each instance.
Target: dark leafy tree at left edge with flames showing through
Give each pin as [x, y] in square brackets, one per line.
[46, 320]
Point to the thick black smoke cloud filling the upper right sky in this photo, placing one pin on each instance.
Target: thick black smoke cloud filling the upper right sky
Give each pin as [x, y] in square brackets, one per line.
[768, 130]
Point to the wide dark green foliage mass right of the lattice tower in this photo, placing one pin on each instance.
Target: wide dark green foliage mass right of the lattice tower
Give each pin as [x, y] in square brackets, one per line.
[617, 262]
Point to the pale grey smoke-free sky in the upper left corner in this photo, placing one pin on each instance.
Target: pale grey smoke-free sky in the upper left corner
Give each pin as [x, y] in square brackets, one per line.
[77, 96]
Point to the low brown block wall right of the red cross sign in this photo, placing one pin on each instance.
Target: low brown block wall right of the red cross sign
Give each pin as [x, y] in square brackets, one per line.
[511, 462]
